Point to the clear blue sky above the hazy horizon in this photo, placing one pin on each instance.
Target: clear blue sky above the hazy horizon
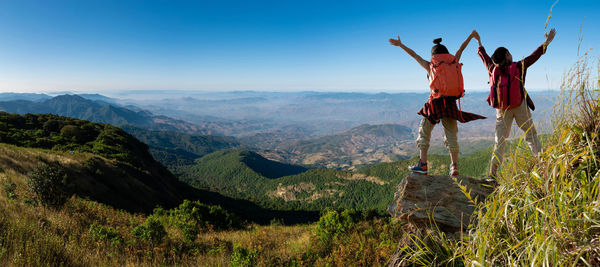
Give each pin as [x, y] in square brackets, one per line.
[220, 45]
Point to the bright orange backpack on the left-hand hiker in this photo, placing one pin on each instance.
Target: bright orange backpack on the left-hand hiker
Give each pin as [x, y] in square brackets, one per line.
[445, 78]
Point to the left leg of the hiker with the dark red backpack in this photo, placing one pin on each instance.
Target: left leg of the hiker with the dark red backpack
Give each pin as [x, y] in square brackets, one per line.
[503, 123]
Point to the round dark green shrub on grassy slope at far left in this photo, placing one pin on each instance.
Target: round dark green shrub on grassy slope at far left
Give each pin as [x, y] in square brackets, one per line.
[50, 185]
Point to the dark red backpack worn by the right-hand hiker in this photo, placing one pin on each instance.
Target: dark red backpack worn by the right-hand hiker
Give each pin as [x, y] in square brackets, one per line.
[505, 91]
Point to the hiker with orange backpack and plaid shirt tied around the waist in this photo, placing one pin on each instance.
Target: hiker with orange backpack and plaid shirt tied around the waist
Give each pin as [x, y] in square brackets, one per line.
[446, 86]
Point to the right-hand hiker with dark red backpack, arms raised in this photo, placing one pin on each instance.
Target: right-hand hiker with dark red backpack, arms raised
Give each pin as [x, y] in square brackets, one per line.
[509, 97]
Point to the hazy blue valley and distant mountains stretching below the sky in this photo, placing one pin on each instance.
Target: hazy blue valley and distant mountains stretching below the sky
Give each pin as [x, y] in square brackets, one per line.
[333, 130]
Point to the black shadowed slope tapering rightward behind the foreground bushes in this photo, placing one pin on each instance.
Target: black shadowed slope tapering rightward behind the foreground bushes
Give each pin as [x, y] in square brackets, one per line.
[141, 192]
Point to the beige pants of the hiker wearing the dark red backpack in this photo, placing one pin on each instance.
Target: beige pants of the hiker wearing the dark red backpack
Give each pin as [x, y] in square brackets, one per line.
[504, 120]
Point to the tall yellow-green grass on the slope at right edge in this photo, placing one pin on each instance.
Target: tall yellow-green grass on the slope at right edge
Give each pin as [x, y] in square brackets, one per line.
[546, 209]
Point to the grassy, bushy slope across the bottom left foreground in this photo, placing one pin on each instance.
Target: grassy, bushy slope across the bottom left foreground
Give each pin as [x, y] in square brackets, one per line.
[86, 233]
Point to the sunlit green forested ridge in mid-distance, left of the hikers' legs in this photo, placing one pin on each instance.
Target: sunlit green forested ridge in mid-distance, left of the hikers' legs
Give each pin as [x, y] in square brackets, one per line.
[235, 173]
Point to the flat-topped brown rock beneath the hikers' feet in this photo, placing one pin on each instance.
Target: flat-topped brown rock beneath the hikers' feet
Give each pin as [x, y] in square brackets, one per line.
[423, 199]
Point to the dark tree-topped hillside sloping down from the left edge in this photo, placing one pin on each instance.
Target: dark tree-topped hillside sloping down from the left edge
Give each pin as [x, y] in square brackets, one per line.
[103, 162]
